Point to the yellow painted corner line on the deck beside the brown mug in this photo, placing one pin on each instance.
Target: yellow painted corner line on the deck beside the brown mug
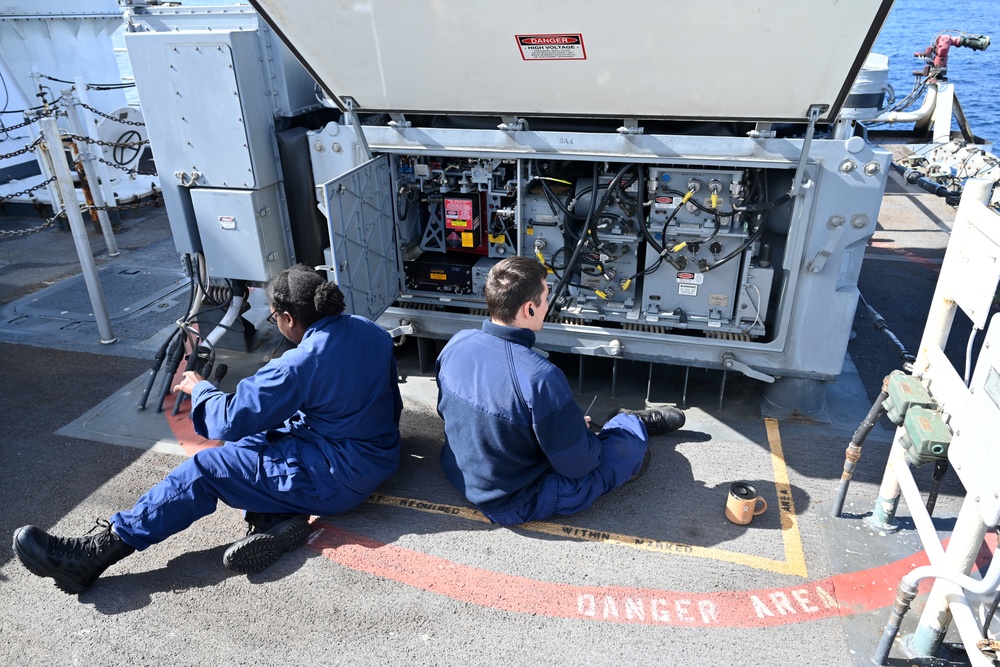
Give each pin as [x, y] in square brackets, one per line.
[793, 564]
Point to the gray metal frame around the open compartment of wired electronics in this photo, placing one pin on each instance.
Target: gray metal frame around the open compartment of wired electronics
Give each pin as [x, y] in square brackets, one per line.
[829, 224]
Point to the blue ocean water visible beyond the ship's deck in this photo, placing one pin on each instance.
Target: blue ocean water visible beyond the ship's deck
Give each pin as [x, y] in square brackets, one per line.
[912, 26]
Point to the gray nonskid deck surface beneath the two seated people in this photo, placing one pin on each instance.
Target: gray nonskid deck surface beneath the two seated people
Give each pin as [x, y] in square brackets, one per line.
[653, 573]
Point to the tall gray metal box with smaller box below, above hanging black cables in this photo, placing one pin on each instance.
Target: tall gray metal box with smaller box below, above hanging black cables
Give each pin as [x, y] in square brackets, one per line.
[212, 83]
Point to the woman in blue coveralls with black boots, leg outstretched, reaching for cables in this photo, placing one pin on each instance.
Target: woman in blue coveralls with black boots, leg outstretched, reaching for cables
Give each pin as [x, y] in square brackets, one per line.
[312, 432]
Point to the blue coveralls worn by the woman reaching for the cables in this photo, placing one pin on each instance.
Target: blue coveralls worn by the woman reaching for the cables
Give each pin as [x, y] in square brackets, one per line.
[312, 432]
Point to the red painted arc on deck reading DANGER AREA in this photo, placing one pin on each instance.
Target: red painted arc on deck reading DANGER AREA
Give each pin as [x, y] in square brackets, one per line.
[853, 593]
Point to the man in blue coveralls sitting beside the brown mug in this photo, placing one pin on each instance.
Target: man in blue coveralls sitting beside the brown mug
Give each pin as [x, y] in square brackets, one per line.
[516, 443]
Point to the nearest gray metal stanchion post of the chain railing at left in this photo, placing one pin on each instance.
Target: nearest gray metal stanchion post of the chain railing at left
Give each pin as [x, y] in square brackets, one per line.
[52, 145]
